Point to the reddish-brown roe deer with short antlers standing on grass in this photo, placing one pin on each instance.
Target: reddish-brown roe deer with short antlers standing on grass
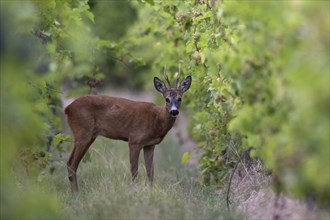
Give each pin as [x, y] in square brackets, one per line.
[141, 124]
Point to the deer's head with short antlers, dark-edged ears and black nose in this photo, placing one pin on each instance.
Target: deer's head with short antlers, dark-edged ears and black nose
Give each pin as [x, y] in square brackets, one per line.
[172, 95]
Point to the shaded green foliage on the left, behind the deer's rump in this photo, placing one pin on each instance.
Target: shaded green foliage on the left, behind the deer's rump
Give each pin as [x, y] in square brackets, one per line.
[48, 51]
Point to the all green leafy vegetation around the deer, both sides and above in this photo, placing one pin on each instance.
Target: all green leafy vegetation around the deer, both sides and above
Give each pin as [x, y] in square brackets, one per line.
[260, 79]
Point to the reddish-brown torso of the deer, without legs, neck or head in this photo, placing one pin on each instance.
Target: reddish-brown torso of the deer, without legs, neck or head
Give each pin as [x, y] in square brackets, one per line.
[111, 117]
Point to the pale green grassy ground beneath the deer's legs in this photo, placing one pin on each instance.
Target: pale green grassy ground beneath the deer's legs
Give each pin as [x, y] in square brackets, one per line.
[106, 191]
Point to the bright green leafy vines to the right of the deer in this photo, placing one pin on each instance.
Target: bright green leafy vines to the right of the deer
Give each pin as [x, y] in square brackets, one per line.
[256, 83]
